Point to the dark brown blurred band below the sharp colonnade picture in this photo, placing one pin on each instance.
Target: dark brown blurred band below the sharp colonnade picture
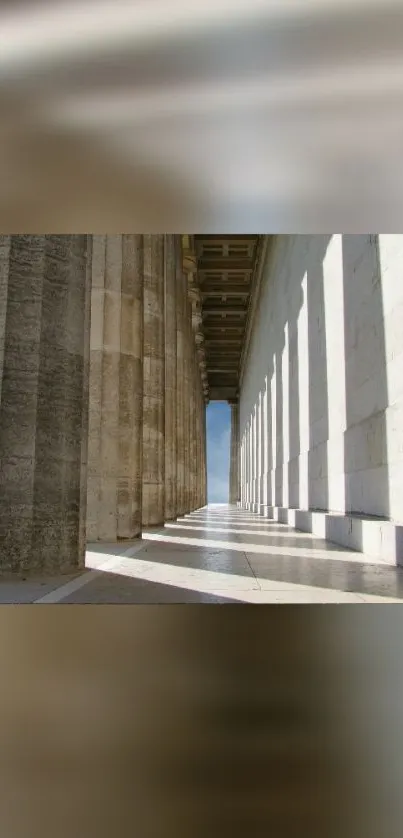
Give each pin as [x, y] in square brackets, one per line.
[192, 721]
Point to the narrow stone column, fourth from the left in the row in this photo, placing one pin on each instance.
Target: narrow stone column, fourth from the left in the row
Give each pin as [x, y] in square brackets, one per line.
[170, 379]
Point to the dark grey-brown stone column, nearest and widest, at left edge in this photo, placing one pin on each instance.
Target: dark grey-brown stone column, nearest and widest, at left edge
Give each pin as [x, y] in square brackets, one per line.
[44, 337]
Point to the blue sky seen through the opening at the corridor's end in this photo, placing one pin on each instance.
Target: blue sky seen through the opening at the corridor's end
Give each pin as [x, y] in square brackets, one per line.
[218, 424]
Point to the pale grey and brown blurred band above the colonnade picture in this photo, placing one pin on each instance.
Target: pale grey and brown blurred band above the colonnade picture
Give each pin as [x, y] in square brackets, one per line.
[250, 116]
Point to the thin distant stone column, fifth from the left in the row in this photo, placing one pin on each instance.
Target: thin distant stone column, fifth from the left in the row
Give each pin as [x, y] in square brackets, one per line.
[181, 293]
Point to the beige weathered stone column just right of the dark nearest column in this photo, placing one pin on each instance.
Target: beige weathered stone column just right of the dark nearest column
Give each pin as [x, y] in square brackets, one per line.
[115, 417]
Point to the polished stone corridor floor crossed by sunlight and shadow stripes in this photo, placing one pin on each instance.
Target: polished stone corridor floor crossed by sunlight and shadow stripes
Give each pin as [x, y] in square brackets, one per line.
[219, 554]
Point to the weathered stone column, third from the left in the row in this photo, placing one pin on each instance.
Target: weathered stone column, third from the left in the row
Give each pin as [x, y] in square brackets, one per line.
[153, 382]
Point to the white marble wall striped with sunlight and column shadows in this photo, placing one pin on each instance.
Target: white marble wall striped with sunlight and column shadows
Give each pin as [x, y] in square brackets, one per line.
[321, 405]
